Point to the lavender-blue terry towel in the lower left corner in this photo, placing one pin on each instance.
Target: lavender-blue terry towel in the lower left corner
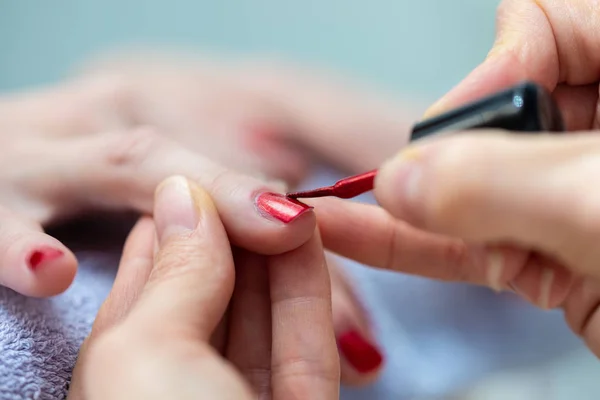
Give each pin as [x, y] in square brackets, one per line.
[39, 338]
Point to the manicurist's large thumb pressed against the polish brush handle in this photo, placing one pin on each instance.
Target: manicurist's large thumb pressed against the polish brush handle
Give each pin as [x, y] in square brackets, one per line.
[531, 191]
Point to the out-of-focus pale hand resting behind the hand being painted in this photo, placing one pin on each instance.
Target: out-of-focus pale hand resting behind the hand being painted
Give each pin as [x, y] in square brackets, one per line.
[271, 119]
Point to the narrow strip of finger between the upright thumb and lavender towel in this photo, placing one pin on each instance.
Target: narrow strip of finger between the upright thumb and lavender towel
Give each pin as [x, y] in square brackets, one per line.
[134, 268]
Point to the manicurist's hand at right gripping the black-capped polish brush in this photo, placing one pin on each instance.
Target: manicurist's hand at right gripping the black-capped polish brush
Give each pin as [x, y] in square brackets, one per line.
[528, 204]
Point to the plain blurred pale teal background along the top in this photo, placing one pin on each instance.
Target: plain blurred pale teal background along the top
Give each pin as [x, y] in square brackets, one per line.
[421, 47]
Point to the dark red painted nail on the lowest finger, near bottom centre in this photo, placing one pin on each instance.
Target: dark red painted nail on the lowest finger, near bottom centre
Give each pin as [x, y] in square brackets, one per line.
[363, 356]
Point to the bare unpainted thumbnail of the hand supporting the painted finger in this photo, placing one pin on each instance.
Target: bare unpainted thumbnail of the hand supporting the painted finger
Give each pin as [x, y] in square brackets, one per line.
[174, 209]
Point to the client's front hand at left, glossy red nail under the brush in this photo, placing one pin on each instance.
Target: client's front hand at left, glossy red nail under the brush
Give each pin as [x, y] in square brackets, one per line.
[46, 177]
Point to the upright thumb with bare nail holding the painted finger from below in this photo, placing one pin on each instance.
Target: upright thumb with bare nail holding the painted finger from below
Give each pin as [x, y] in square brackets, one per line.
[166, 333]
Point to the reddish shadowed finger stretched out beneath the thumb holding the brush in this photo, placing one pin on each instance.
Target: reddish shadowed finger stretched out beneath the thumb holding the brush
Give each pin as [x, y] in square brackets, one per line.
[369, 235]
